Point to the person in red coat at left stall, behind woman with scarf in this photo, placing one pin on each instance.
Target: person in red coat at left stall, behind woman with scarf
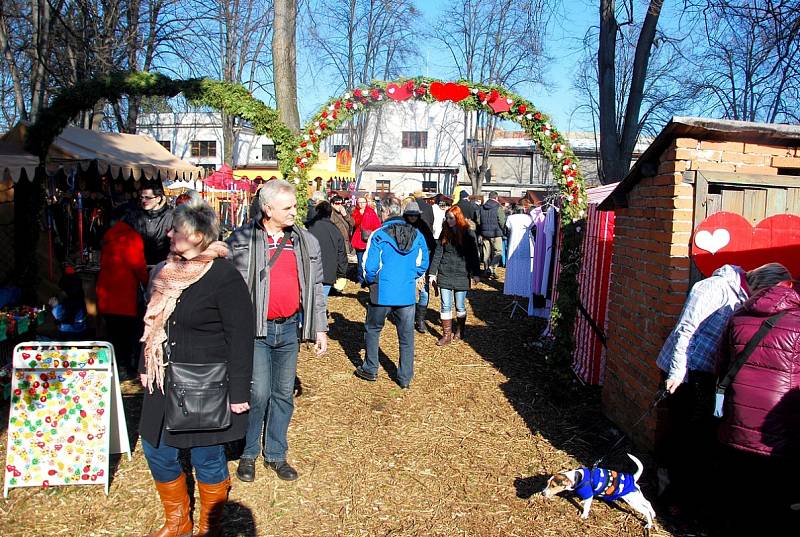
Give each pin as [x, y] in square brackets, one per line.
[122, 271]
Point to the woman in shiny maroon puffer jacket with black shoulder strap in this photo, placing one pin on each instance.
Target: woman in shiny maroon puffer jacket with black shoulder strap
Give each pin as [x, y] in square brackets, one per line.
[760, 428]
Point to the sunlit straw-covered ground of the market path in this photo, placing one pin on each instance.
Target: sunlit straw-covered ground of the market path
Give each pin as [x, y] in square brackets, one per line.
[463, 452]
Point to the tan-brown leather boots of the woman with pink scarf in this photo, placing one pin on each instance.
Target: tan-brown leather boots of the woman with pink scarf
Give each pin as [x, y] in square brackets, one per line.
[178, 521]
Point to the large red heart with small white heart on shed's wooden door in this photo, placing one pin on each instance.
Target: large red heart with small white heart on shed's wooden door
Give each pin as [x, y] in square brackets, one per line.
[728, 238]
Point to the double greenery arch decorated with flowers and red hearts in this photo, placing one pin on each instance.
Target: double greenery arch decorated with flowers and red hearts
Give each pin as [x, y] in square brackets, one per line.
[297, 153]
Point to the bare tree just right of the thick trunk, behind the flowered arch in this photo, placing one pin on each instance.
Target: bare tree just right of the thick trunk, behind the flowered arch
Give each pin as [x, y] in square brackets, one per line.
[357, 41]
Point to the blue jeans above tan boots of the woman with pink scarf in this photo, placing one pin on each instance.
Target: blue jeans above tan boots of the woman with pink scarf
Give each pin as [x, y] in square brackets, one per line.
[209, 463]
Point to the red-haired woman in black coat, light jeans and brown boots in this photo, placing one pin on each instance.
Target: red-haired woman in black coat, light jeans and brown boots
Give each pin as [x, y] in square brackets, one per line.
[454, 267]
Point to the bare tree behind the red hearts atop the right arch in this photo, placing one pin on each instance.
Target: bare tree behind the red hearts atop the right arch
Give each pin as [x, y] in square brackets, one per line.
[498, 42]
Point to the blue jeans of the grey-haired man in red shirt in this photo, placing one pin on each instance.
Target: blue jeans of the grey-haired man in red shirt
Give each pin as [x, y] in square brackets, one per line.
[272, 391]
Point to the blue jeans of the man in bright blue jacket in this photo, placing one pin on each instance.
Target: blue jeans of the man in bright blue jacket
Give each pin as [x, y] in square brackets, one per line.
[404, 318]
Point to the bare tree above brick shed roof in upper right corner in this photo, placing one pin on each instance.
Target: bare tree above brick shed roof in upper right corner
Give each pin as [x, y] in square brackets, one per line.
[748, 67]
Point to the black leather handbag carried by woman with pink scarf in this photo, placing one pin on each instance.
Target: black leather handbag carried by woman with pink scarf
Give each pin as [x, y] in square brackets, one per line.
[197, 397]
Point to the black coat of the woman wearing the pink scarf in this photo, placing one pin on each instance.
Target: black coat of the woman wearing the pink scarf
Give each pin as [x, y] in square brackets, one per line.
[212, 322]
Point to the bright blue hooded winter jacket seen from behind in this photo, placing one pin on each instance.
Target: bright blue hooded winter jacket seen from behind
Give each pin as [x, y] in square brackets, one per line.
[396, 256]
